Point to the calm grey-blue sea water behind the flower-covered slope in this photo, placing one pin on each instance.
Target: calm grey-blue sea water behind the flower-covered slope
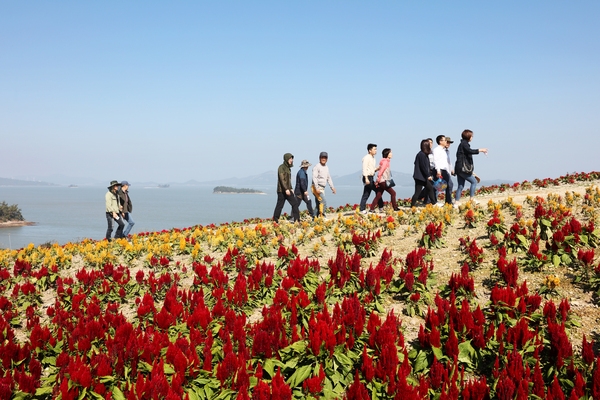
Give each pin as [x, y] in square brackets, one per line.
[64, 214]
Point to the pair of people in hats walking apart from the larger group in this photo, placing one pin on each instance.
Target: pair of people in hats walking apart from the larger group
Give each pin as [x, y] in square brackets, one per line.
[118, 209]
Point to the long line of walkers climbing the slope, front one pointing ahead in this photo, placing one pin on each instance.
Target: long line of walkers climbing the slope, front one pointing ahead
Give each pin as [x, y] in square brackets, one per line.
[431, 165]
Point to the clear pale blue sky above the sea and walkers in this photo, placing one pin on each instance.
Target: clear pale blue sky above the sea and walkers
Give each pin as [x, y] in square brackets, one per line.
[172, 91]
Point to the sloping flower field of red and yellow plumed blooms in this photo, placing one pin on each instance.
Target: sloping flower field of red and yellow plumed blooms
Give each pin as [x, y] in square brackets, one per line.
[490, 300]
